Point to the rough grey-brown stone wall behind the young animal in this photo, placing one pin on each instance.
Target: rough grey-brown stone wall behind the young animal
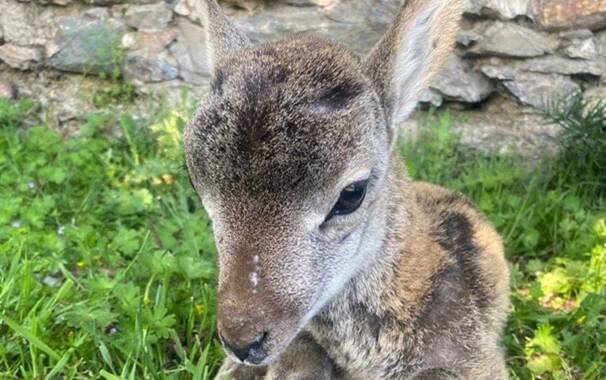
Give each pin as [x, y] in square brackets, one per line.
[517, 52]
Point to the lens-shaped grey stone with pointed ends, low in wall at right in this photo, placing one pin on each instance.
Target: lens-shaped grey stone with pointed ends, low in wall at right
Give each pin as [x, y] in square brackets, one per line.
[537, 90]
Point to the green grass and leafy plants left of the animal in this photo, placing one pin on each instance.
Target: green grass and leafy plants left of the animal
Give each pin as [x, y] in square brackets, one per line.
[106, 258]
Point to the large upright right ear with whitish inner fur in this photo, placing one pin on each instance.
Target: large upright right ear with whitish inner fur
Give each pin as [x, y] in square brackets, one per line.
[411, 53]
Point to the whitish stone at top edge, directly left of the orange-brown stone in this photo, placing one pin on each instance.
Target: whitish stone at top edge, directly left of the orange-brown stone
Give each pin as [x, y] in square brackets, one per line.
[501, 9]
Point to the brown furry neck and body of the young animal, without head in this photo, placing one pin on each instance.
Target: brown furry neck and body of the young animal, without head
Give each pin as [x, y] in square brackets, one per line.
[425, 309]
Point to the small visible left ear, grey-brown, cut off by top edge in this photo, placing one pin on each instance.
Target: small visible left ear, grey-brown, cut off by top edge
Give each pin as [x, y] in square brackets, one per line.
[223, 38]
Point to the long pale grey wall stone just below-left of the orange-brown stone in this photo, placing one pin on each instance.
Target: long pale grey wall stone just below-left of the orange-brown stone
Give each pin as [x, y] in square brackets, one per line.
[513, 40]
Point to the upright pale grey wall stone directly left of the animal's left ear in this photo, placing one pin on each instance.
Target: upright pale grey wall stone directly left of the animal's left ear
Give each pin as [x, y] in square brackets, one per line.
[190, 52]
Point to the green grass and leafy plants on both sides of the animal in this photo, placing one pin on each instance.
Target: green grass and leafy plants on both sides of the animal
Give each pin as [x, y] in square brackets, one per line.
[107, 263]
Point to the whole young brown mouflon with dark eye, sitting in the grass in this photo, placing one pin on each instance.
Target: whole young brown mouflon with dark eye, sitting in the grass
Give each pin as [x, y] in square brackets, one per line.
[333, 264]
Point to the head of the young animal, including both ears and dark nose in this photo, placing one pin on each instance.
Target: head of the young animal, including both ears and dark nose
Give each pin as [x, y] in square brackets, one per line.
[289, 153]
